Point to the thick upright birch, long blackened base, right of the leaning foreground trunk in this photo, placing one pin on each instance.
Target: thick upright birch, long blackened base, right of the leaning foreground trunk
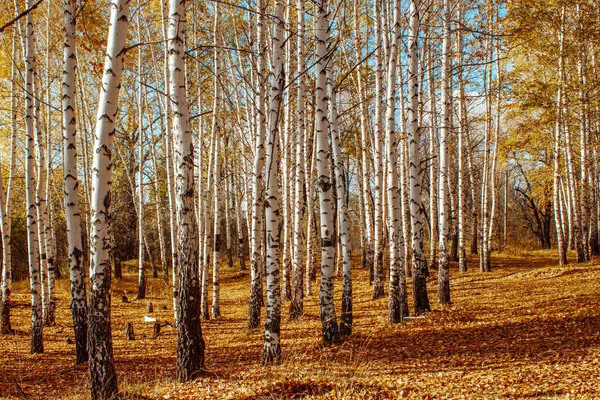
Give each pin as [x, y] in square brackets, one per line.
[190, 344]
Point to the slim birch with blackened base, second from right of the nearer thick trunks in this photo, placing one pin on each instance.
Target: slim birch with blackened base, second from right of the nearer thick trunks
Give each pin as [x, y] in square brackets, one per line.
[421, 298]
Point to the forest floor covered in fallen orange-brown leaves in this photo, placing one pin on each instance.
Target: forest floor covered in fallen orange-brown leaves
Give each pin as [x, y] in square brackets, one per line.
[528, 329]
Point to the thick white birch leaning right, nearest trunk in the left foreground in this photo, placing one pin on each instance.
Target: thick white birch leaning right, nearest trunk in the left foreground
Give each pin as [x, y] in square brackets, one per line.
[103, 380]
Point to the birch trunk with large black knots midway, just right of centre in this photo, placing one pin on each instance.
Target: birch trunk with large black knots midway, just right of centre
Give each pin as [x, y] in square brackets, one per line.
[328, 240]
